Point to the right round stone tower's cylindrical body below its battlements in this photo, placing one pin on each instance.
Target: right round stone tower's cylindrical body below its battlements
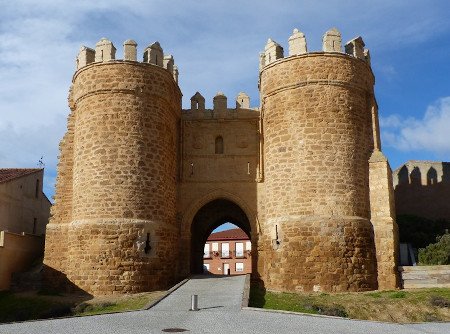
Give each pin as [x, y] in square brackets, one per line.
[317, 141]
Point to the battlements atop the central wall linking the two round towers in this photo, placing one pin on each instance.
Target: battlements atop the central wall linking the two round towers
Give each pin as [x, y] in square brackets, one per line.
[220, 108]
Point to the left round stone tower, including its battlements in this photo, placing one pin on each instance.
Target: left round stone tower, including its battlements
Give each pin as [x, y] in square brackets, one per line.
[114, 219]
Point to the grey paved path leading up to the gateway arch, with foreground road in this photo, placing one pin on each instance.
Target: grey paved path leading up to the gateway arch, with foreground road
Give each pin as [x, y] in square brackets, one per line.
[220, 312]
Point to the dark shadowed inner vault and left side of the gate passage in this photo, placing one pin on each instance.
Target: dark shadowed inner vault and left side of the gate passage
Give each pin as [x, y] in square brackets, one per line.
[208, 218]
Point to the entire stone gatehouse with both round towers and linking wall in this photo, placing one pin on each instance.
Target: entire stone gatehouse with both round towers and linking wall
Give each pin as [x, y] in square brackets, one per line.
[136, 172]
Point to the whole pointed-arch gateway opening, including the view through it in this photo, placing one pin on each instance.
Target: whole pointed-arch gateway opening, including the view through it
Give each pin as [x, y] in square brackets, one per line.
[221, 240]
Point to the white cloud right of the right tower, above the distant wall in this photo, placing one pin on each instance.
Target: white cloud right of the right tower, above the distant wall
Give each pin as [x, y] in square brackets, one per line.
[431, 133]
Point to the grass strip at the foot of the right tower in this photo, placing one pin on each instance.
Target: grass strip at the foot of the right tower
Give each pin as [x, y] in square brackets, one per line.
[393, 306]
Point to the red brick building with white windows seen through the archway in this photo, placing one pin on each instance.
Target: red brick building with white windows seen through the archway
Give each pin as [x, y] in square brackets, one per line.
[228, 253]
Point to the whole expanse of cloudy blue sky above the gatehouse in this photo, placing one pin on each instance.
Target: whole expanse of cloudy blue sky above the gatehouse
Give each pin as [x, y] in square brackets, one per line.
[216, 46]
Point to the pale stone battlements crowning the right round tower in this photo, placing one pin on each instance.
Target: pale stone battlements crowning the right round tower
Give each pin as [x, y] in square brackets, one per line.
[331, 43]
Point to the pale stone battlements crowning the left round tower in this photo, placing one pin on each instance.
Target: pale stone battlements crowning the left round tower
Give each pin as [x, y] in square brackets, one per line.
[105, 51]
